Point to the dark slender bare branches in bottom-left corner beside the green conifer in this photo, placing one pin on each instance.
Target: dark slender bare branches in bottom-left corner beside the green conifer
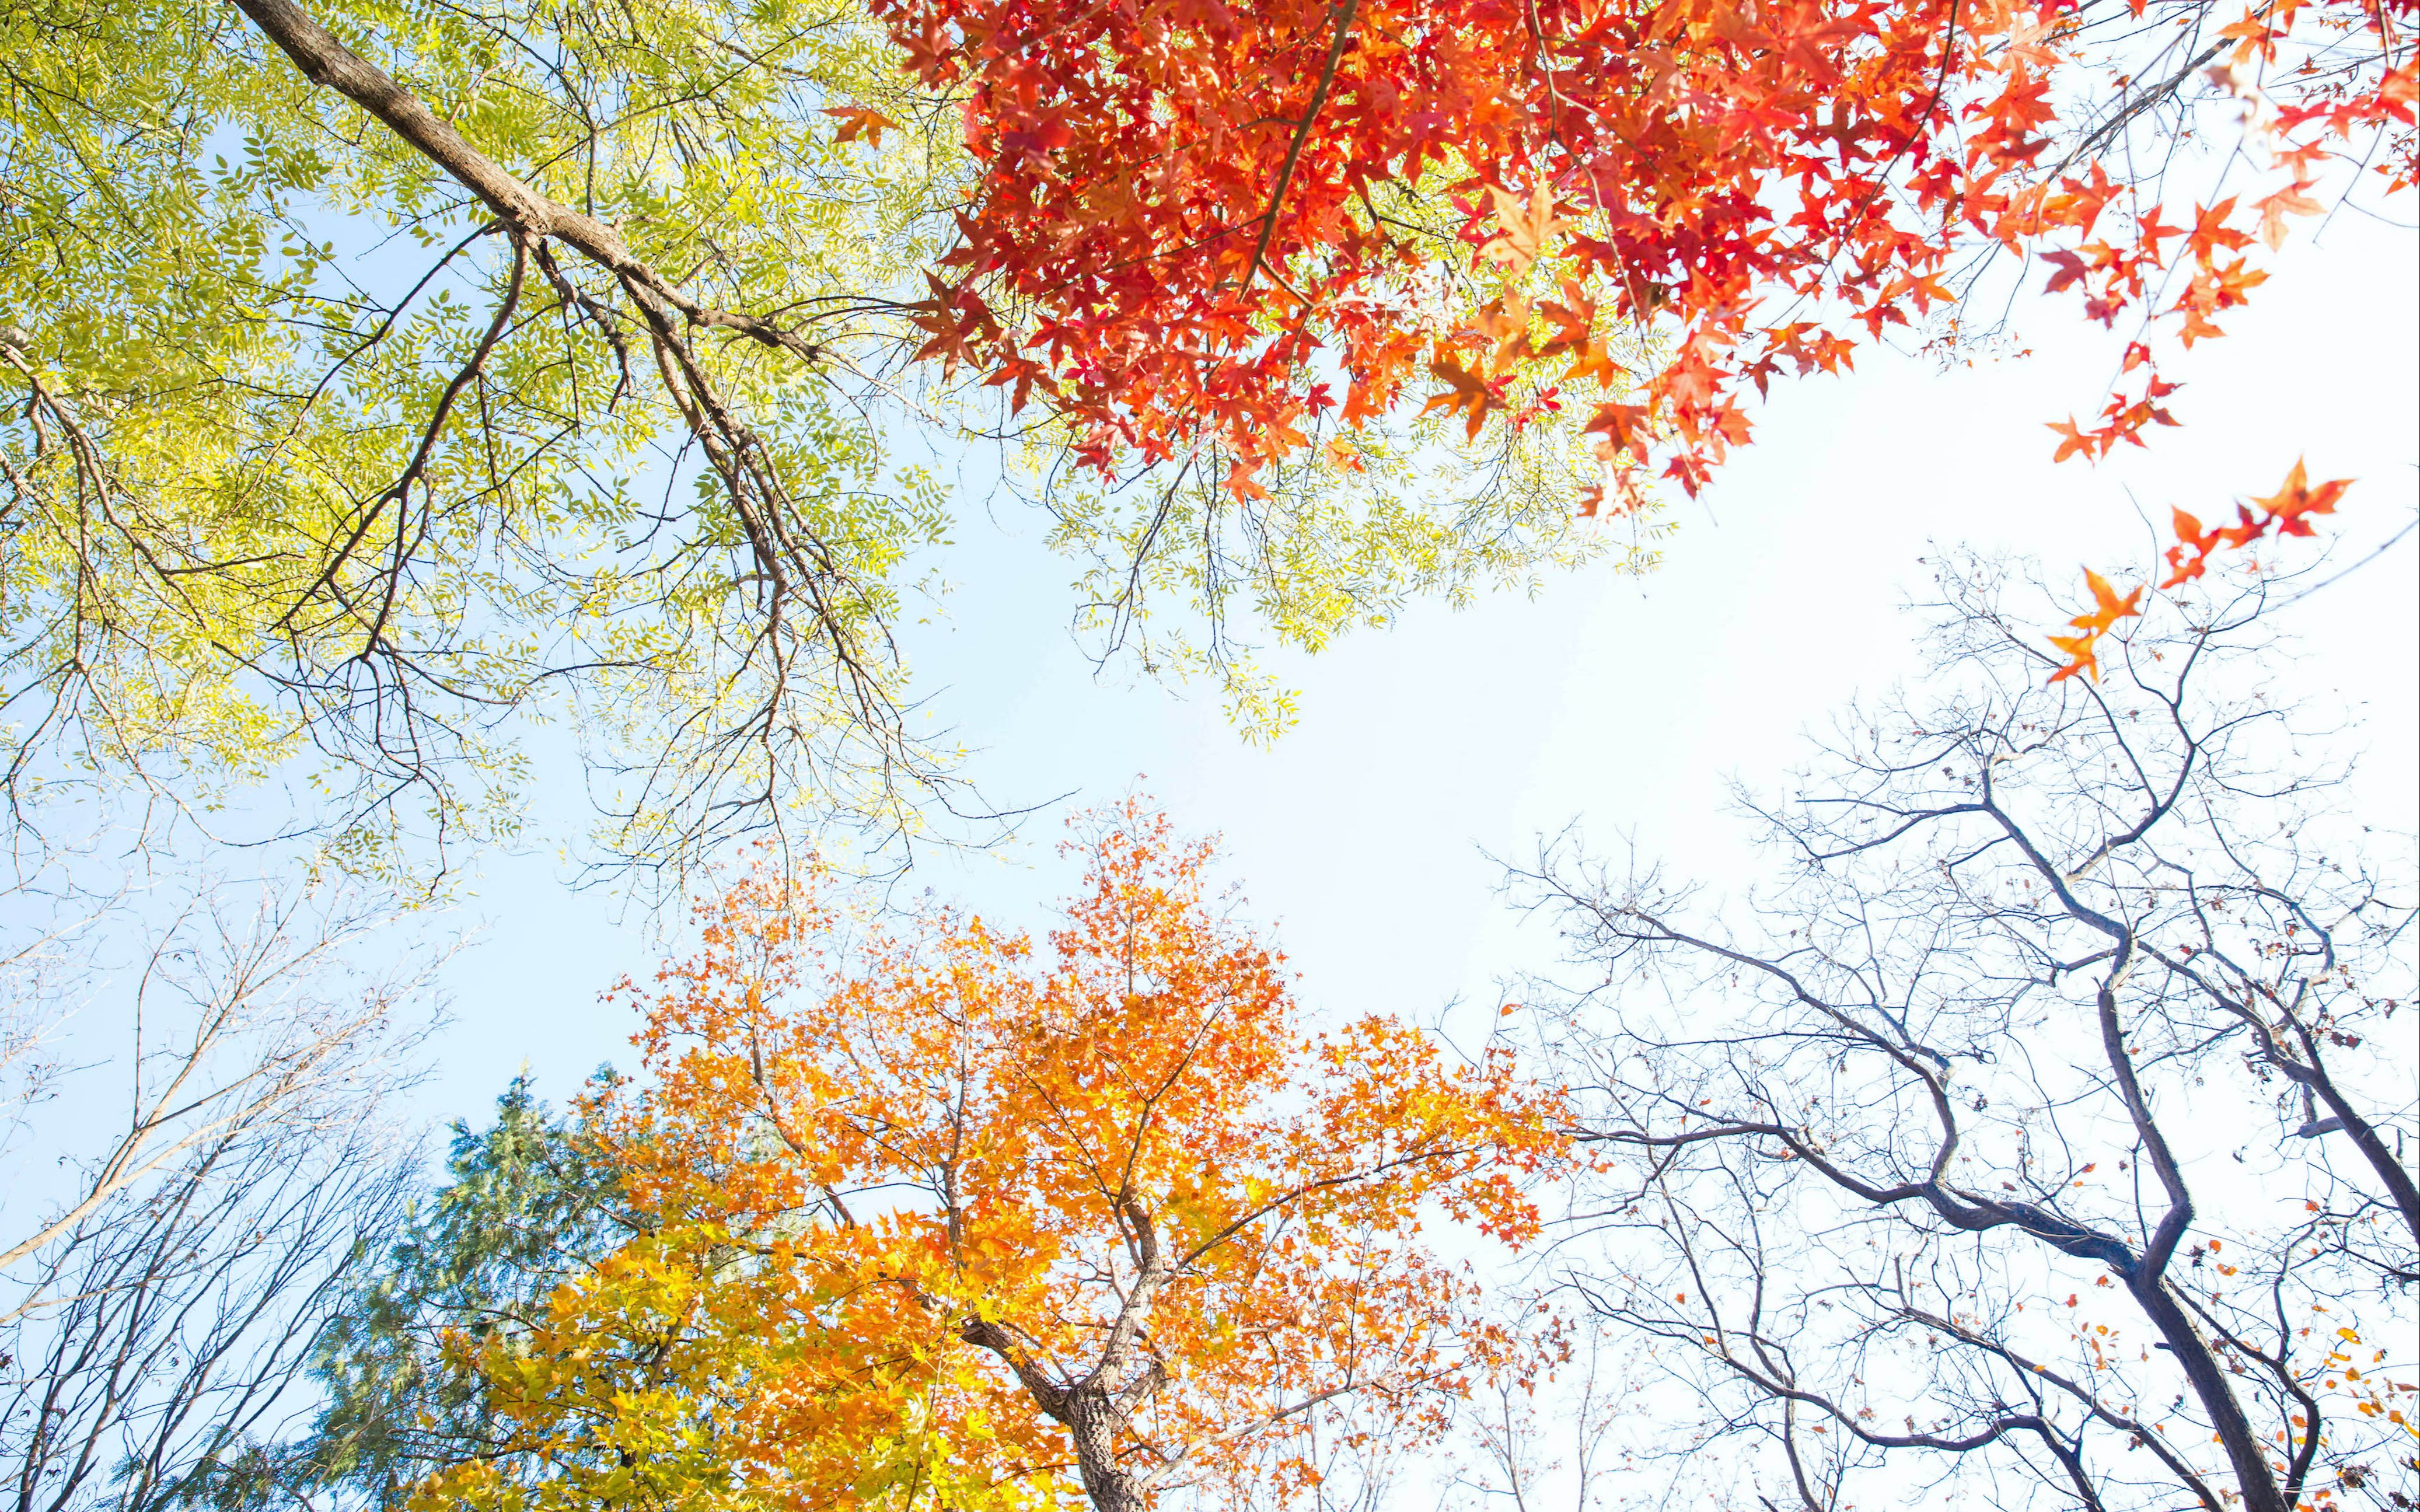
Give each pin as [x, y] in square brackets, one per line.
[159, 1351]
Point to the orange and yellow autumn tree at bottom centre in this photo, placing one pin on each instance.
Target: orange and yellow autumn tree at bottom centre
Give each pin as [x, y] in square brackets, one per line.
[947, 1218]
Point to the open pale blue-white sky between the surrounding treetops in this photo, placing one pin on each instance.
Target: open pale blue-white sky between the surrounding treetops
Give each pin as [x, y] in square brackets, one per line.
[1623, 705]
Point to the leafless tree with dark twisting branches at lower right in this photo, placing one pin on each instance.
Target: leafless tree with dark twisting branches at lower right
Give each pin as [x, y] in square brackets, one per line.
[2044, 1133]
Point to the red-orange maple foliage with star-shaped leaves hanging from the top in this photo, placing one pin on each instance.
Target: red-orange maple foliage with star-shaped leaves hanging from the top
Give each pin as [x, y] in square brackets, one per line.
[1245, 233]
